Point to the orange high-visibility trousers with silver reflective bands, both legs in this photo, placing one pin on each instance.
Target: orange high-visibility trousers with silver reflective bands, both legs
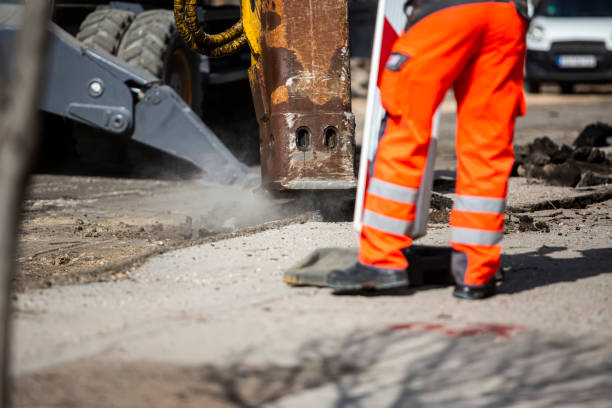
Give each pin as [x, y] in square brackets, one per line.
[478, 49]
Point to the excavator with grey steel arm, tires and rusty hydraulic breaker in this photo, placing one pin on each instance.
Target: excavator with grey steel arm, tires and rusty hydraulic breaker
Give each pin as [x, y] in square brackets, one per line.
[128, 69]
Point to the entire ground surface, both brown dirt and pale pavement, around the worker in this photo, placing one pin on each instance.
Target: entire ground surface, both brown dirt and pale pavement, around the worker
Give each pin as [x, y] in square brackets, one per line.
[207, 321]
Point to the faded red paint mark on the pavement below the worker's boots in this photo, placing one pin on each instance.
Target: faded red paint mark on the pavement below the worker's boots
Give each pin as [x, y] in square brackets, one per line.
[473, 329]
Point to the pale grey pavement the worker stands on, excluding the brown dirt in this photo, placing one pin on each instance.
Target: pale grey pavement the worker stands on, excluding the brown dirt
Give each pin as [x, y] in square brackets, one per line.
[214, 324]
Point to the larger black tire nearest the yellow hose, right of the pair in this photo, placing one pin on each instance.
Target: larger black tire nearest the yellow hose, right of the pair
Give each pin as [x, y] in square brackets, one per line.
[153, 44]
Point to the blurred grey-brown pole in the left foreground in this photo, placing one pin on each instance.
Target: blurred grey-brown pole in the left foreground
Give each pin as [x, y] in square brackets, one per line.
[18, 142]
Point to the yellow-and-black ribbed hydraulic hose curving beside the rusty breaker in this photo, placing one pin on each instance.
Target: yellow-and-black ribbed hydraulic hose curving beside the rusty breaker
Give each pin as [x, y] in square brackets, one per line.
[213, 45]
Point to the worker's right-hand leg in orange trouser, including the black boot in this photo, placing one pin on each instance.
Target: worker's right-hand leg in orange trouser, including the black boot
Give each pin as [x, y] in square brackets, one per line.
[489, 96]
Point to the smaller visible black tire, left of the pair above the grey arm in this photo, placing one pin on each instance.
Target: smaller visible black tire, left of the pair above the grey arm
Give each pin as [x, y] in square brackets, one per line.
[103, 29]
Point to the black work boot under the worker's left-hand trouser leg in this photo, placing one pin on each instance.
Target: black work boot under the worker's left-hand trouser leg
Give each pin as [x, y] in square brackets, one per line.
[359, 277]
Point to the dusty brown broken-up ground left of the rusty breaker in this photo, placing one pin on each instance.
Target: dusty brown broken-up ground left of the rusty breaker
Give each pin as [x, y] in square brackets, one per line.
[79, 229]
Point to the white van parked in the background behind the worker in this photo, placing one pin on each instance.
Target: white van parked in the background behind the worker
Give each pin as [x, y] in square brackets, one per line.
[568, 42]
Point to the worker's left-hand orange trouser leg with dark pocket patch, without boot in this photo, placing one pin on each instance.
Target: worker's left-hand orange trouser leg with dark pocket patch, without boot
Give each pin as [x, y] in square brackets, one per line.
[424, 63]
